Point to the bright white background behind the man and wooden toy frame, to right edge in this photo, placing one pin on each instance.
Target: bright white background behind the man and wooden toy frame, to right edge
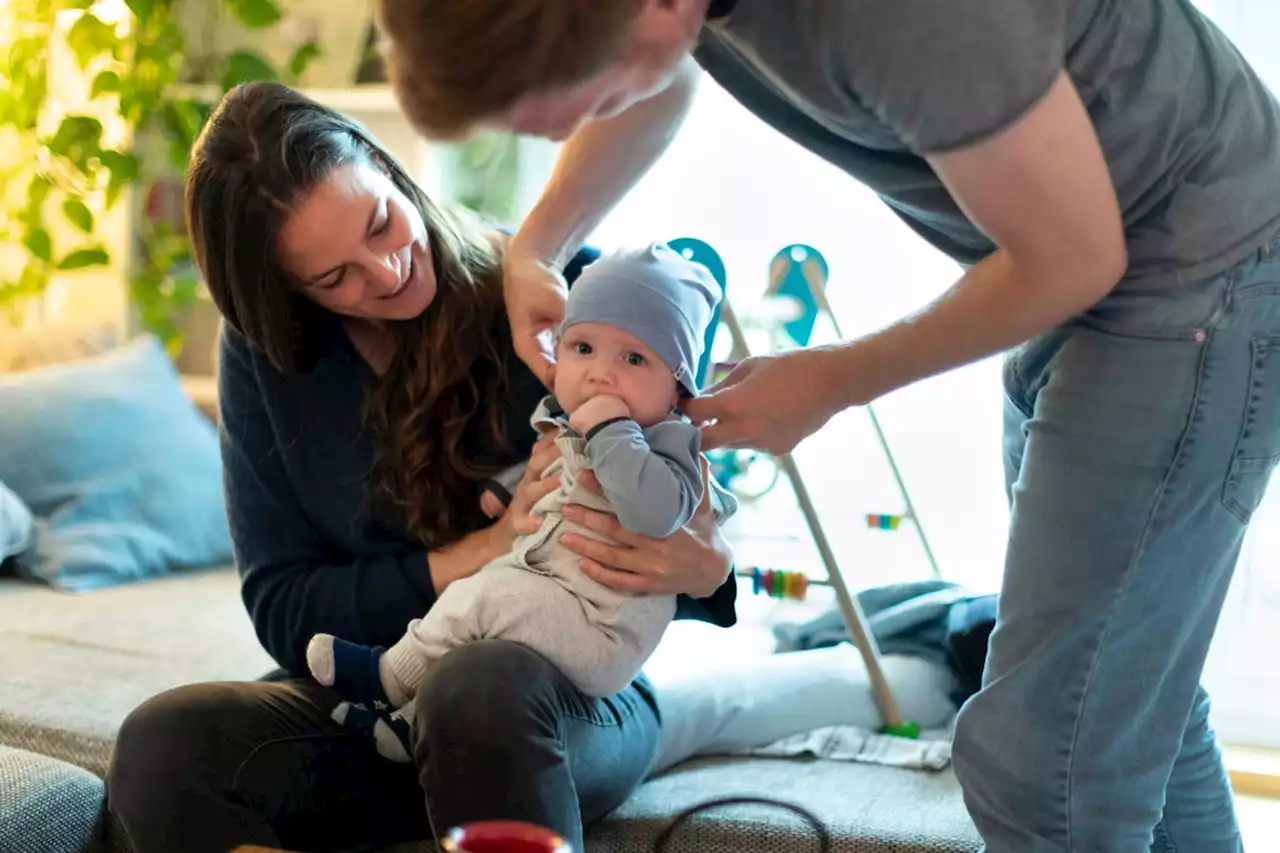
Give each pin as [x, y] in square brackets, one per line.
[740, 186]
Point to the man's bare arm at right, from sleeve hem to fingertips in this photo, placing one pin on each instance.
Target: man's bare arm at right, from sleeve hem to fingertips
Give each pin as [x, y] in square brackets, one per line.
[1043, 191]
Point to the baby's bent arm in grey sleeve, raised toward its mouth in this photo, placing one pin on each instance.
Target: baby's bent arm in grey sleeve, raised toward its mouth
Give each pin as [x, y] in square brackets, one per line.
[653, 478]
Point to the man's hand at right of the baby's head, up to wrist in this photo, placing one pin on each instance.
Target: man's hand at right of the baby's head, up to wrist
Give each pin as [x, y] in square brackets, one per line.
[770, 403]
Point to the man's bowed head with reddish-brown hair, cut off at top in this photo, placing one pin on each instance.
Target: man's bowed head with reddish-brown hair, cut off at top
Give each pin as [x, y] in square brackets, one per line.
[534, 67]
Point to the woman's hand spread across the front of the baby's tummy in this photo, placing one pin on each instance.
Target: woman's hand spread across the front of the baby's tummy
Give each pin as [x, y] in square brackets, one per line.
[696, 560]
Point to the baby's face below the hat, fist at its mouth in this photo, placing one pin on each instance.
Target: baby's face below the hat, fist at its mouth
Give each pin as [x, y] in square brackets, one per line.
[595, 359]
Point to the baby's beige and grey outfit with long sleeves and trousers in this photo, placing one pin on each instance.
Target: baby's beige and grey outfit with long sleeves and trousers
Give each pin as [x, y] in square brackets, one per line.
[538, 594]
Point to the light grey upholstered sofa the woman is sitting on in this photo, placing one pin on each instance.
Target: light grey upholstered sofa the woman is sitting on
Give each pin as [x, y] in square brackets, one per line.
[74, 667]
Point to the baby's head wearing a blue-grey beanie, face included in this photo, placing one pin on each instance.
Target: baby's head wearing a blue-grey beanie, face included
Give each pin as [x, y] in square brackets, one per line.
[634, 329]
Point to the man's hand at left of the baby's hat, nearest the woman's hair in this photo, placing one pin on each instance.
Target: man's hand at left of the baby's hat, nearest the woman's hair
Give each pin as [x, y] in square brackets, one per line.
[534, 293]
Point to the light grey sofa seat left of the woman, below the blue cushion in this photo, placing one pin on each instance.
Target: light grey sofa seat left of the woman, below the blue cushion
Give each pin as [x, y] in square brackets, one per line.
[74, 667]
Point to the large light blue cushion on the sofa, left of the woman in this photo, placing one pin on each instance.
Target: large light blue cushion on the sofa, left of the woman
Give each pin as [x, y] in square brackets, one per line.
[118, 466]
